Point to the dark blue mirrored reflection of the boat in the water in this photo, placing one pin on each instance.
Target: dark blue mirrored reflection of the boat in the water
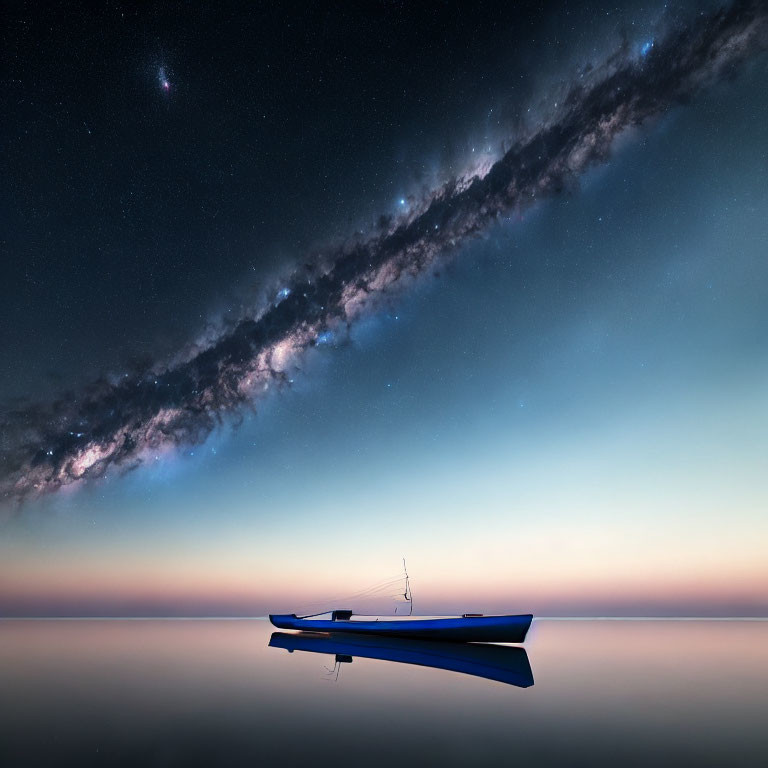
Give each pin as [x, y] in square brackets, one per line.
[502, 663]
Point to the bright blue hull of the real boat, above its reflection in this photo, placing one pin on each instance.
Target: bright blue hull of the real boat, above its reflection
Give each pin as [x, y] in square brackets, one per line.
[471, 629]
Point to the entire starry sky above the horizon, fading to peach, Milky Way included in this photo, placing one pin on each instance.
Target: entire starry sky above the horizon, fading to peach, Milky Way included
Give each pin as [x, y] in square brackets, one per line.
[290, 294]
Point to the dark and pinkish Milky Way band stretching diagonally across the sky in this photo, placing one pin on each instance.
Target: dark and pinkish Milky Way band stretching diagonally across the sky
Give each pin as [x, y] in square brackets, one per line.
[119, 422]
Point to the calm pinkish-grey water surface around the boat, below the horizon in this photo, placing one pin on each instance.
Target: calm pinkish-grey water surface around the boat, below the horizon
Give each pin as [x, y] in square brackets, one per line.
[162, 693]
